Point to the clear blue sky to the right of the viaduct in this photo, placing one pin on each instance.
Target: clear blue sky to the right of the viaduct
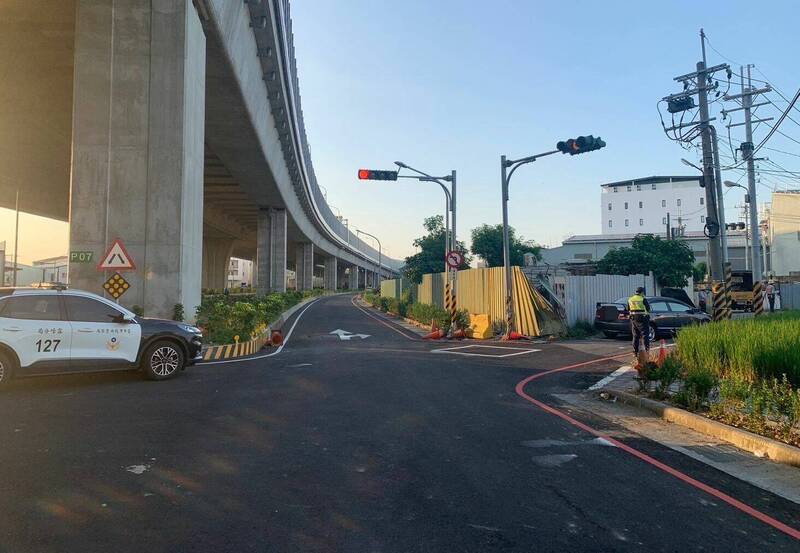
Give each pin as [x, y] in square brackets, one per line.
[449, 84]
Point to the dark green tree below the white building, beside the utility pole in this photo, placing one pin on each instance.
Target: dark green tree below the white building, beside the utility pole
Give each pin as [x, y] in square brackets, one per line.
[670, 260]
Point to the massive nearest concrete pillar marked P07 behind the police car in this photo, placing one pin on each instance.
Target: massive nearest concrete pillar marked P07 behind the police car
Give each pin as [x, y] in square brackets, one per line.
[137, 147]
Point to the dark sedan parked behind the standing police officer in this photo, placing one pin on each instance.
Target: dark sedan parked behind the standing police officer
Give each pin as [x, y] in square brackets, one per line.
[667, 315]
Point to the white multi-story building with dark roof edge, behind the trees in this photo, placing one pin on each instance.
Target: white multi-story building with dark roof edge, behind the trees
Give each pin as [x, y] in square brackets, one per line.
[641, 206]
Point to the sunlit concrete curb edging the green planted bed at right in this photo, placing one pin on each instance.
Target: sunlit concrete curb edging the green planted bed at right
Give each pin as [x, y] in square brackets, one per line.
[761, 446]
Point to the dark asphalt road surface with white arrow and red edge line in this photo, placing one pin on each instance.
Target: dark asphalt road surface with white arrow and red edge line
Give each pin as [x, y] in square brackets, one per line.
[376, 444]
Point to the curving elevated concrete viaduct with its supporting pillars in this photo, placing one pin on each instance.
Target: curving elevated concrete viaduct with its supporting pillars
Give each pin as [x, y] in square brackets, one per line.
[177, 127]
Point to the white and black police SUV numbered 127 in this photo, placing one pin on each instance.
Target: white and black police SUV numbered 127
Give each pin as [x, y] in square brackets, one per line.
[56, 330]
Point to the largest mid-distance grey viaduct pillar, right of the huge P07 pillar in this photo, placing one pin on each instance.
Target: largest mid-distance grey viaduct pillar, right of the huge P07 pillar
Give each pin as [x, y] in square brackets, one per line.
[271, 251]
